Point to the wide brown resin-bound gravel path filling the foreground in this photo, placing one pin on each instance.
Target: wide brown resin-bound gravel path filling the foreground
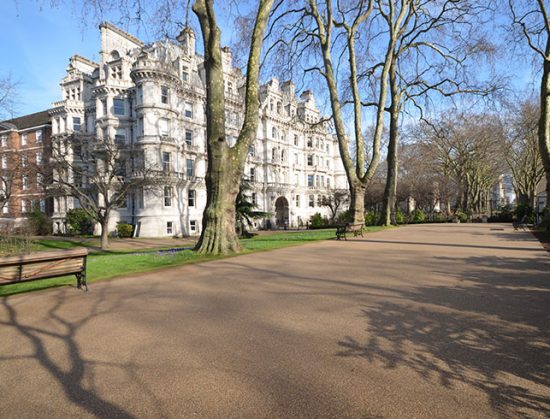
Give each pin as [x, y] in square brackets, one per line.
[419, 321]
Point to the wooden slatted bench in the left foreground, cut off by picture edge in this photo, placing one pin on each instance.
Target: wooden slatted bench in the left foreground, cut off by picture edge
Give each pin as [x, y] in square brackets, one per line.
[42, 265]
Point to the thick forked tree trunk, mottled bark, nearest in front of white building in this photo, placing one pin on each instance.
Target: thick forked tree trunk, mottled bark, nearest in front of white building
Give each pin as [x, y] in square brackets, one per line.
[226, 164]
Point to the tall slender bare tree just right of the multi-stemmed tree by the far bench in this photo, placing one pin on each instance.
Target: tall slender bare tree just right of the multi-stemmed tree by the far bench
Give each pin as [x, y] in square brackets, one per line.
[435, 46]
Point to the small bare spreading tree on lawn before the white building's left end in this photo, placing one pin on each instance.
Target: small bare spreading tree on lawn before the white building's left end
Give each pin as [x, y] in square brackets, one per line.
[99, 173]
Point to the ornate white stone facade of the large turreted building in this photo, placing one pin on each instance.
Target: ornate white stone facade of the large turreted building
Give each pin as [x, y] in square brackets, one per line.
[153, 97]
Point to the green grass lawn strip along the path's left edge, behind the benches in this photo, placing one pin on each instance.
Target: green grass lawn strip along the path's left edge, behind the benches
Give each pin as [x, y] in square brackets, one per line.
[105, 265]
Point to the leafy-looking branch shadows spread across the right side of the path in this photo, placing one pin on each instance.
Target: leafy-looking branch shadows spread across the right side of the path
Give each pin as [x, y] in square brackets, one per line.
[491, 331]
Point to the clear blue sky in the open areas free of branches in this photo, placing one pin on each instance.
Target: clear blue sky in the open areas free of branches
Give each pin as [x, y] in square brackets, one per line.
[38, 40]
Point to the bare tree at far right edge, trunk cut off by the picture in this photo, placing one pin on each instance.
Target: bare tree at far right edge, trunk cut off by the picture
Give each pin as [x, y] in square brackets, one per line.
[531, 22]
